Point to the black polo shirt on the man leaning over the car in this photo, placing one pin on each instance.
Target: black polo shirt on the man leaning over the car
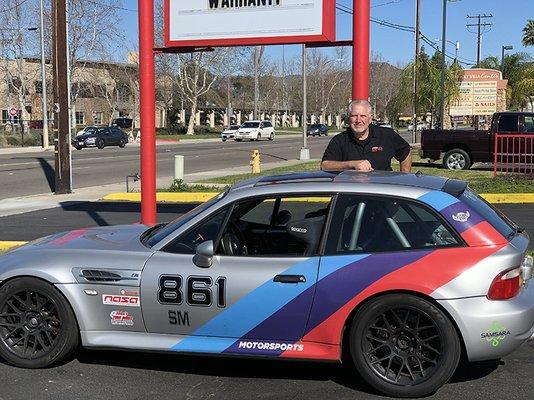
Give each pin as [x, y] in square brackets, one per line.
[379, 148]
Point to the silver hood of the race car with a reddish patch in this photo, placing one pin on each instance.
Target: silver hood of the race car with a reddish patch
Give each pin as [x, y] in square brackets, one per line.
[120, 237]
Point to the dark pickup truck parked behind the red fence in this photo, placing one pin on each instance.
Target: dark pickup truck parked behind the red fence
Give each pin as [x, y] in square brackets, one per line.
[461, 148]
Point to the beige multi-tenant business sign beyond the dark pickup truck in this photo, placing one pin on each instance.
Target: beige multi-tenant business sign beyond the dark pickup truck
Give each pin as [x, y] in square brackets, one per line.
[478, 92]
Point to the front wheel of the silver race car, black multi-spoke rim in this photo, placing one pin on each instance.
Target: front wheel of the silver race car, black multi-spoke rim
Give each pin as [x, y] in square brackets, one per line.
[37, 325]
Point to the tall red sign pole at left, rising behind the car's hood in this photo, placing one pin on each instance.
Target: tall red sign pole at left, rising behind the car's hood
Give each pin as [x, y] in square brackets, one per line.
[147, 111]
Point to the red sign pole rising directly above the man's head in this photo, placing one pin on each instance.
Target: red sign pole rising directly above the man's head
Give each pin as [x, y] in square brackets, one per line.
[360, 49]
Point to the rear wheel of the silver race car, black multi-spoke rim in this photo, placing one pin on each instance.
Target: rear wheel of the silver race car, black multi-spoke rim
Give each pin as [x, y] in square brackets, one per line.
[391, 353]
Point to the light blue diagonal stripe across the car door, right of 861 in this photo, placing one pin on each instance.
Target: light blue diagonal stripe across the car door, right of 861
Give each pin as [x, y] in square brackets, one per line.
[252, 309]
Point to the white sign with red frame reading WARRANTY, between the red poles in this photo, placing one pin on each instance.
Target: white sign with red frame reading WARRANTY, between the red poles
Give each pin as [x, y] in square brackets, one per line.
[199, 23]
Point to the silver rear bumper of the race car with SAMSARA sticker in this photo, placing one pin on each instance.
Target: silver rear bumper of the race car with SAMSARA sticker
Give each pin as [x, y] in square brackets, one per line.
[494, 329]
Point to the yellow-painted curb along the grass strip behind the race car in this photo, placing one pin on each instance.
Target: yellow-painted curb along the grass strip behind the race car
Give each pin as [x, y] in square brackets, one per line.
[200, 197]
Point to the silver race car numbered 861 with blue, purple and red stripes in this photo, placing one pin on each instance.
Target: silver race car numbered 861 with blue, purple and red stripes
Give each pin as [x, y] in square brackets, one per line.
[401, 273]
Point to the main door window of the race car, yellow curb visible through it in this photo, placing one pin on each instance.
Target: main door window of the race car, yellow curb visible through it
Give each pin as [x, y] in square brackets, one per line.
[275, 227]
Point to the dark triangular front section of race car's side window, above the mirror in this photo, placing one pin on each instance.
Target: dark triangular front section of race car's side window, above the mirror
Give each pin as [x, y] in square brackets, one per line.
[205, 230]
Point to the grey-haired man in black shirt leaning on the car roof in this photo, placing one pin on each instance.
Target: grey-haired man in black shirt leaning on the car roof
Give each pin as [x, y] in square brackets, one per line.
[366, 147]
